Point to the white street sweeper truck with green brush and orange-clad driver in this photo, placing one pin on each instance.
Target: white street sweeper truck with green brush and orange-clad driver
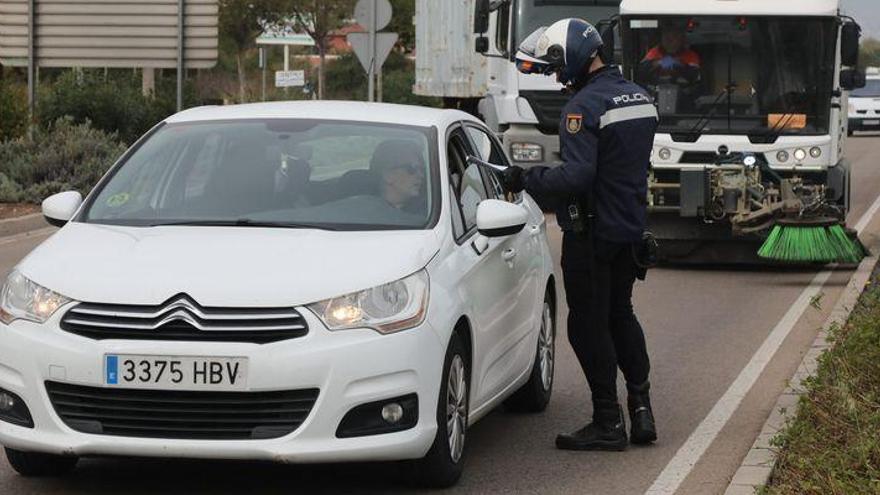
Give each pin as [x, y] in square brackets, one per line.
[752, 97]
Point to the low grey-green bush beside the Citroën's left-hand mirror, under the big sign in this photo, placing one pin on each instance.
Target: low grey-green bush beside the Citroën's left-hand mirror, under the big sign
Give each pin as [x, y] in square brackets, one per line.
[65, 156]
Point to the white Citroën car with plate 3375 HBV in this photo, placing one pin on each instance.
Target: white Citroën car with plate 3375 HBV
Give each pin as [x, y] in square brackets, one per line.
[291, 282]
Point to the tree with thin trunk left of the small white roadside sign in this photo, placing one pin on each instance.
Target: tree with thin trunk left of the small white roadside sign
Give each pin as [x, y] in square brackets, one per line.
[241, 21]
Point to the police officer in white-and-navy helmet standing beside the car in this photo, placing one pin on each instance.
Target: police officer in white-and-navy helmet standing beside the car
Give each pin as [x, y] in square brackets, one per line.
[600, 197]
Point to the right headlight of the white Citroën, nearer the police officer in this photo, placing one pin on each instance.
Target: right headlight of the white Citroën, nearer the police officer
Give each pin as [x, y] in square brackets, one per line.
[388, 308]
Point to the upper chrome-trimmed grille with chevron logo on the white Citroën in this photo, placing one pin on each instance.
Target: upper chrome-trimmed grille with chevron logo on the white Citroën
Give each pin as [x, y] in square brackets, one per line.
[180, 318]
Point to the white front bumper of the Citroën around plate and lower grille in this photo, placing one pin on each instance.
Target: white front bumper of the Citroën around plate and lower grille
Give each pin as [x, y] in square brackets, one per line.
[349, 368]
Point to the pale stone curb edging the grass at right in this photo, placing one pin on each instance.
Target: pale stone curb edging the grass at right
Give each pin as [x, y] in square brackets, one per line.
[757, 466]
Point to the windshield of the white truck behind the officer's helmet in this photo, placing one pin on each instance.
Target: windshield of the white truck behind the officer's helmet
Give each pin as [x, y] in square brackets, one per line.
[532, 14]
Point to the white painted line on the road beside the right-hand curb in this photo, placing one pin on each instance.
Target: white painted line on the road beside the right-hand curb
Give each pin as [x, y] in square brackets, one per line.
[678, 468]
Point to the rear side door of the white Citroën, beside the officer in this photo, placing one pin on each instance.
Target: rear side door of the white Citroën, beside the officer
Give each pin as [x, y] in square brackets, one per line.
[526, 261]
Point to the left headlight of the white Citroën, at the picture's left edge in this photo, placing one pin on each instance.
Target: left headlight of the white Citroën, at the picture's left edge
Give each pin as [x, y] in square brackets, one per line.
[21, 299]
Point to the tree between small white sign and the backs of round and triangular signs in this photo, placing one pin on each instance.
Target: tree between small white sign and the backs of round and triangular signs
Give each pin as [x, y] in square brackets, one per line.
[318, 18]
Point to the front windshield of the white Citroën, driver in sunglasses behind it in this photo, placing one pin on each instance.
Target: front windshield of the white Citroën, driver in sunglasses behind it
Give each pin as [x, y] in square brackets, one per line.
[294, 173]
